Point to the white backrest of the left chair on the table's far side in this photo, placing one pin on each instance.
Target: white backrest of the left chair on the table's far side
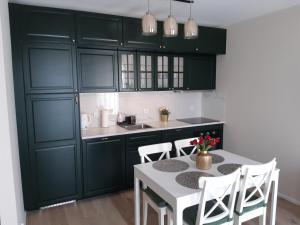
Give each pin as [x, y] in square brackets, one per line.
[163, 148]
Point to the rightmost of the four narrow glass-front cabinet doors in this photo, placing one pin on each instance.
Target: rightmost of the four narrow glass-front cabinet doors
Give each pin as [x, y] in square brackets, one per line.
[178, 73]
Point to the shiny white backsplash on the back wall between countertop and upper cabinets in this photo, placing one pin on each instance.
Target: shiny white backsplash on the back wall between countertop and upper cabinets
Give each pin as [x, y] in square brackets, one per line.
[145, 105]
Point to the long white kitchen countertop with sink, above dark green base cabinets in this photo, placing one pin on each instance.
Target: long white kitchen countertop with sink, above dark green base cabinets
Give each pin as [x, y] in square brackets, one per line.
[156, 126]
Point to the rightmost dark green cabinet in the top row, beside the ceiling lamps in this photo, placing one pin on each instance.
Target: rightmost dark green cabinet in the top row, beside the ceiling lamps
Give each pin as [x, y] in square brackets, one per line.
[211, 40]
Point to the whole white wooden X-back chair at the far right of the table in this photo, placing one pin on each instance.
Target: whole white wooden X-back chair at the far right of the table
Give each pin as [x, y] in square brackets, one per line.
[252, 202]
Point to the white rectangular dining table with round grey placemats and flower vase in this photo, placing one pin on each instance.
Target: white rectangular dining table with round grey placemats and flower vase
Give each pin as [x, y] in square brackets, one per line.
[180, 197]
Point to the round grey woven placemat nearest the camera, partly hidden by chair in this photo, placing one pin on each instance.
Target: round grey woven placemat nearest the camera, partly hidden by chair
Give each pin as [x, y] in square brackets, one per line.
[191, 179]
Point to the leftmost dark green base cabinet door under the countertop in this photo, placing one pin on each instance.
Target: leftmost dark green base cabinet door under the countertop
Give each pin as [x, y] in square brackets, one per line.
[103, 165]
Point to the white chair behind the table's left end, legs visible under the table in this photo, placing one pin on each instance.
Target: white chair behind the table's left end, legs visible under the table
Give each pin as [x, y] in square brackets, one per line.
[149, 196]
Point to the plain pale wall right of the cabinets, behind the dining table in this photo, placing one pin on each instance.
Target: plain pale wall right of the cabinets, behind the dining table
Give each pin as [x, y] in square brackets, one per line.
[259, 79]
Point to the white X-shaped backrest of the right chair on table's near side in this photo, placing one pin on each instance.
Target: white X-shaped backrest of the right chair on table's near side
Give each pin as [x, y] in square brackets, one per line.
[255, 185]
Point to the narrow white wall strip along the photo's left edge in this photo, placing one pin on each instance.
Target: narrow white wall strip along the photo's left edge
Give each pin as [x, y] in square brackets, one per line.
[11, 199]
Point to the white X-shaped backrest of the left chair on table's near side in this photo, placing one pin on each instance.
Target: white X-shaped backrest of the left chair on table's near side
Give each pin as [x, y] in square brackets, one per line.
[217, 188]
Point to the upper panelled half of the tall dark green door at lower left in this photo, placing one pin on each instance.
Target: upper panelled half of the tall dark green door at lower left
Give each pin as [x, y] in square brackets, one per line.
[52, 119]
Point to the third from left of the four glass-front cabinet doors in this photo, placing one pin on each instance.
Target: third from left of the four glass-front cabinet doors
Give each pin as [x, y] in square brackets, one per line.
[163, 72]
